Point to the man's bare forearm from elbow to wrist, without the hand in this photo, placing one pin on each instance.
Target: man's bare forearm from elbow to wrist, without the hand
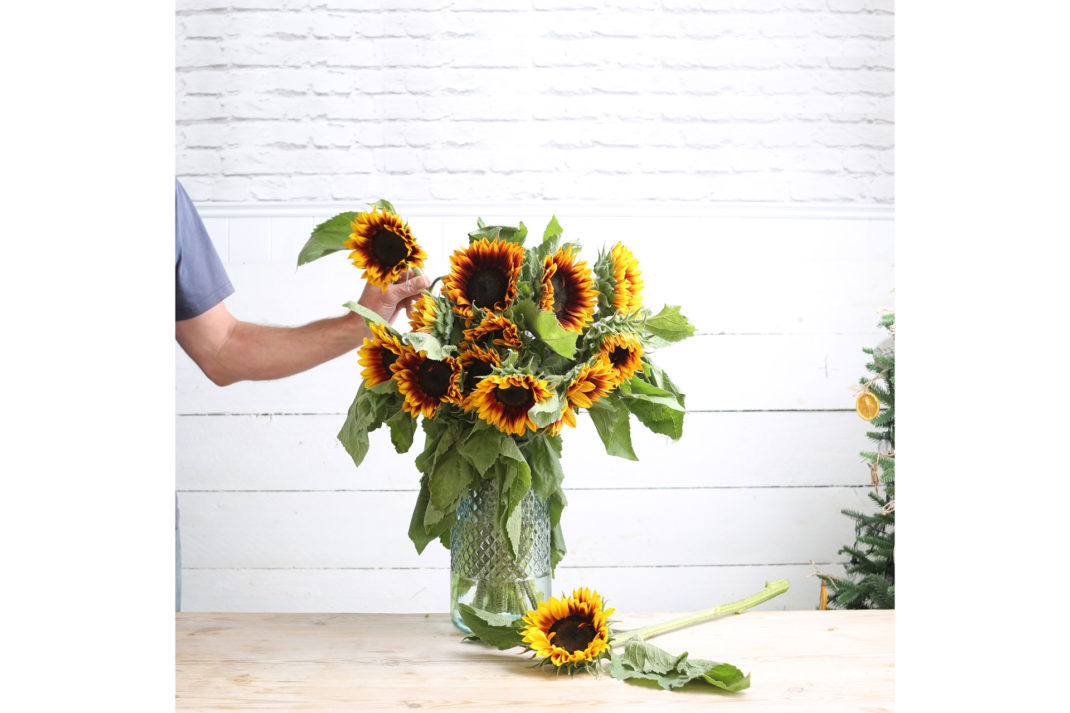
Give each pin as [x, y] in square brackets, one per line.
[256, 353]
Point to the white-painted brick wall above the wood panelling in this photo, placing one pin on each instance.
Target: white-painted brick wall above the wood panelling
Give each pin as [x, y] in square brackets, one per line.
[515, 100]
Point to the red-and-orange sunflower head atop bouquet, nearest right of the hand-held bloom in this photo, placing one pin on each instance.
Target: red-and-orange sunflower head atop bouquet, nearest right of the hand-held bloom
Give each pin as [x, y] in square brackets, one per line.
[484, 276]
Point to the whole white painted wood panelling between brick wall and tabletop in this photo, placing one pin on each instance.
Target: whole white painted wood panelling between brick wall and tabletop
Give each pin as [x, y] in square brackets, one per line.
[276, 518]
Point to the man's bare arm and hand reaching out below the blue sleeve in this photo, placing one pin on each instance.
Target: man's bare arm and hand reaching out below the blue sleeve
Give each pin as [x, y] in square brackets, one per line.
[230, 351]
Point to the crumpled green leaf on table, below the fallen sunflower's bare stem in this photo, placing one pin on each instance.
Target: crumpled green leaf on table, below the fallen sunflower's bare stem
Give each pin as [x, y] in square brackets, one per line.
[647, 662]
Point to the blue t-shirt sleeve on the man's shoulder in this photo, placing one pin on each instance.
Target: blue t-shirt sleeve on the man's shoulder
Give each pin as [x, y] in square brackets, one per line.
[201, 280]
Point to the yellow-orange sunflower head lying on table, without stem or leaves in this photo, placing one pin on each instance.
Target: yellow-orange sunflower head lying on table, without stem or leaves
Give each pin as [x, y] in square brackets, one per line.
[571, 631]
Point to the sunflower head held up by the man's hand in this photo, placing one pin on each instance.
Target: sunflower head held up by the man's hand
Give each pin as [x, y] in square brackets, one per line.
[384, 247]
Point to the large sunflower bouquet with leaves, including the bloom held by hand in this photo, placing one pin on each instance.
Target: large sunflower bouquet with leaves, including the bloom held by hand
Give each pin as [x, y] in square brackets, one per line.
[517, 342]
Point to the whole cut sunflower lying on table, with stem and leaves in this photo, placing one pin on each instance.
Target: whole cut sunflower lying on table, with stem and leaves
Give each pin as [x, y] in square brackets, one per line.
[574, 634]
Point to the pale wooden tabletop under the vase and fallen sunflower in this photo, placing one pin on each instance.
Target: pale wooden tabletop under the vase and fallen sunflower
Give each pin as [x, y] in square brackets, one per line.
[799, 661]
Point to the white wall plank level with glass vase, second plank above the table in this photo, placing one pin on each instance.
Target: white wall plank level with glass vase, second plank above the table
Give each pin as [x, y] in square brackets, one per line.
[603, 528]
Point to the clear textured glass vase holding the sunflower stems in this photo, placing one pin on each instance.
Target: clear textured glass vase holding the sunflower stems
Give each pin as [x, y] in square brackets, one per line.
[485, 573]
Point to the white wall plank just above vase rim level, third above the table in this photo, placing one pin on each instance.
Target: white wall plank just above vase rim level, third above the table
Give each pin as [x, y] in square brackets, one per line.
[717, 450]
